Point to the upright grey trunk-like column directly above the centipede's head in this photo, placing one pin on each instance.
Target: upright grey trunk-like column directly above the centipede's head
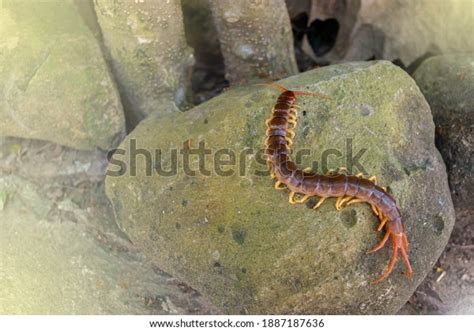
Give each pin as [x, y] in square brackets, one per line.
[255, 39]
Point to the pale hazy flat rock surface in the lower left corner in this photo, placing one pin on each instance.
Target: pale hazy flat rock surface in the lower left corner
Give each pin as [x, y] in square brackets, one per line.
[60, 249]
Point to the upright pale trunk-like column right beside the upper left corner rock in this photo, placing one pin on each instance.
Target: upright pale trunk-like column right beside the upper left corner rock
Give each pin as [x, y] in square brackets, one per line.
[149, 54]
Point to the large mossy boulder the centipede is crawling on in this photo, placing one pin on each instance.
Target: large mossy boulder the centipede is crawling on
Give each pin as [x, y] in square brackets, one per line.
[238, 240]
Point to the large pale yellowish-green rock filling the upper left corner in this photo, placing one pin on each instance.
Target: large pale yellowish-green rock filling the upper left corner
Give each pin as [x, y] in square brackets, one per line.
[54, 82]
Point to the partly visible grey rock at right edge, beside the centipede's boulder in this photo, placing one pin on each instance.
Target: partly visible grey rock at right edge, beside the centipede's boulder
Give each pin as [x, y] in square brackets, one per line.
[447, 83]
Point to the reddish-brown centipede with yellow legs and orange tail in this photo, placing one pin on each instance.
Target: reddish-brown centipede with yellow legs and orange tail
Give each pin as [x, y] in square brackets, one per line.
[304, 184]
